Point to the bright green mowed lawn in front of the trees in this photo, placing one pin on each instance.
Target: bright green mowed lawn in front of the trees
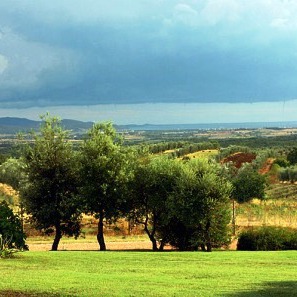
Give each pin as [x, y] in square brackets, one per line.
[74, 273]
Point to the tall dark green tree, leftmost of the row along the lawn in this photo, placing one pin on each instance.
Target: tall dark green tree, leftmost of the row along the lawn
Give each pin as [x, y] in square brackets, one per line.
[50, 193]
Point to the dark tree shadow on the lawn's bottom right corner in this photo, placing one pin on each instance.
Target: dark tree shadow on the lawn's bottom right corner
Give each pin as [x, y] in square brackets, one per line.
[270, 289]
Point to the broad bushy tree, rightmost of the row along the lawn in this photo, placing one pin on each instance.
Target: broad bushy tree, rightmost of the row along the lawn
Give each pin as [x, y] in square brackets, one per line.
[201, 205]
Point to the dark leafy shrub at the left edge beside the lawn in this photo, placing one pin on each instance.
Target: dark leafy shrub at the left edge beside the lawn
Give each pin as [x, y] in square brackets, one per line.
[11, 231]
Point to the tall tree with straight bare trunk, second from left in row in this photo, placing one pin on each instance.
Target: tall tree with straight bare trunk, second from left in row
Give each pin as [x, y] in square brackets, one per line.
[104, 172]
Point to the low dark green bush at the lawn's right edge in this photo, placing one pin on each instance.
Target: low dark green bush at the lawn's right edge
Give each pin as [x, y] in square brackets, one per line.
[267, 239]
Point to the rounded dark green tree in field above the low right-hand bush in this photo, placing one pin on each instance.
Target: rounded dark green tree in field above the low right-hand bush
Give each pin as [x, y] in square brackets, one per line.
[248, 184]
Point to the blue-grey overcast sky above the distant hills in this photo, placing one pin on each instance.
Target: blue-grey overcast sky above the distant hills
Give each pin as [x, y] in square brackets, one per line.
[149, 61]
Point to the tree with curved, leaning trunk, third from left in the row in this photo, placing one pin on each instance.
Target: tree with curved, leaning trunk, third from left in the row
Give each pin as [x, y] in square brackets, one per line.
[154, 182]
